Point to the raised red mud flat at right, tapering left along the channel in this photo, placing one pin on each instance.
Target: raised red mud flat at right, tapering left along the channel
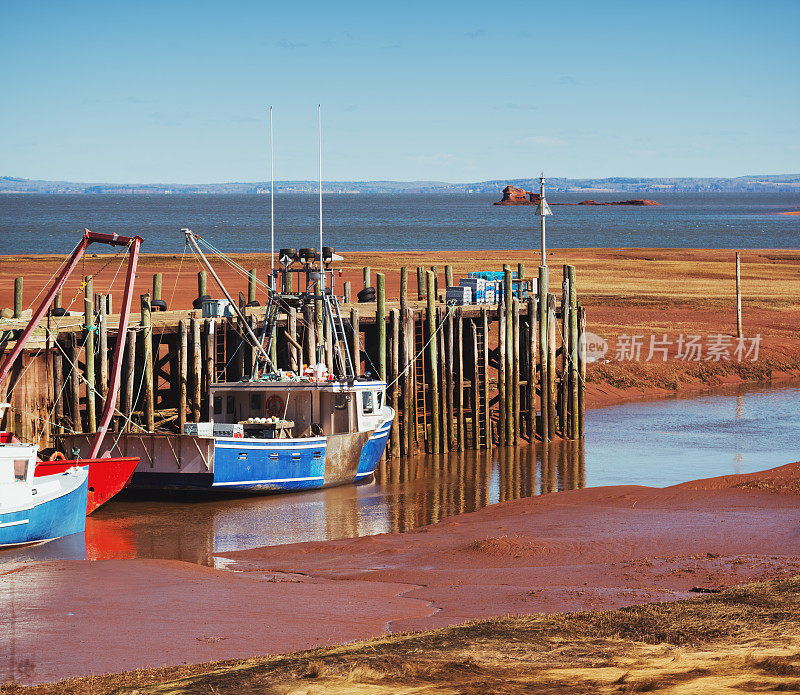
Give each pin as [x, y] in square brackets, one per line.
[596, 548]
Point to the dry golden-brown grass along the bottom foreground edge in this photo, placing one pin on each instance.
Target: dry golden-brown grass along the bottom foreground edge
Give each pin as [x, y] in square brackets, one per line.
[744, 639]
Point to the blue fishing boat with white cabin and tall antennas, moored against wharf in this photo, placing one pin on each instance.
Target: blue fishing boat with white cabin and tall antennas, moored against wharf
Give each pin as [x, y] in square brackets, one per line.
[300, 427]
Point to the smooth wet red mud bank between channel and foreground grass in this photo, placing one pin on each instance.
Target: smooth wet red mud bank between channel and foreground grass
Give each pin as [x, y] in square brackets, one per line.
[596, 548]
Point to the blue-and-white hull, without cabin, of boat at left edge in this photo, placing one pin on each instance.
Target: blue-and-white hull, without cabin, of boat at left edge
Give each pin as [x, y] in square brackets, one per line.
[58, 509]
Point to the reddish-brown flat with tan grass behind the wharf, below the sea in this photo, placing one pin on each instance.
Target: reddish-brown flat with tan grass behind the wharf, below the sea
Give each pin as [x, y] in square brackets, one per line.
[633, 292]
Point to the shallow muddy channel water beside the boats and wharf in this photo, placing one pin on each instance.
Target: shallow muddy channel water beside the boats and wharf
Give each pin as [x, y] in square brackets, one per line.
[654, 443]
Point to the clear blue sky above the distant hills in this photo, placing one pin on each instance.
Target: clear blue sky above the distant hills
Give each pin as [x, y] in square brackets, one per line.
[176, 91]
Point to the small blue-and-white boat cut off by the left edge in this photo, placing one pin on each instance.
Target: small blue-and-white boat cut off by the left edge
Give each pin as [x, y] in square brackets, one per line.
[34, 510]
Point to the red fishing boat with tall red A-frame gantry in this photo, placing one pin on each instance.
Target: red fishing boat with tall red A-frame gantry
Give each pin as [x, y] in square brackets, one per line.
[107, 475]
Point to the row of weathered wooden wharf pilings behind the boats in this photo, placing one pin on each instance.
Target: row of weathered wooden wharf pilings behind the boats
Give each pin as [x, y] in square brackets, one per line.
[459, 377]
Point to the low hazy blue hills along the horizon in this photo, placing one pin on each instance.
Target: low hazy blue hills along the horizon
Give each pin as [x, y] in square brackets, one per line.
[781, 182]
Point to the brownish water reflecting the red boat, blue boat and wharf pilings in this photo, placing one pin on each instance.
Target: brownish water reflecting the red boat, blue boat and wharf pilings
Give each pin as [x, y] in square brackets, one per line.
[406, 494]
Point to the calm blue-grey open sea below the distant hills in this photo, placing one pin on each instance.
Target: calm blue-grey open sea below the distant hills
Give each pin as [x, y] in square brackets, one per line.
[48, 223]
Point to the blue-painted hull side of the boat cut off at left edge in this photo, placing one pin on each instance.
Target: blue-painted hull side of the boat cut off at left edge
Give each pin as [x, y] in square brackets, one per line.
[52, 518]
